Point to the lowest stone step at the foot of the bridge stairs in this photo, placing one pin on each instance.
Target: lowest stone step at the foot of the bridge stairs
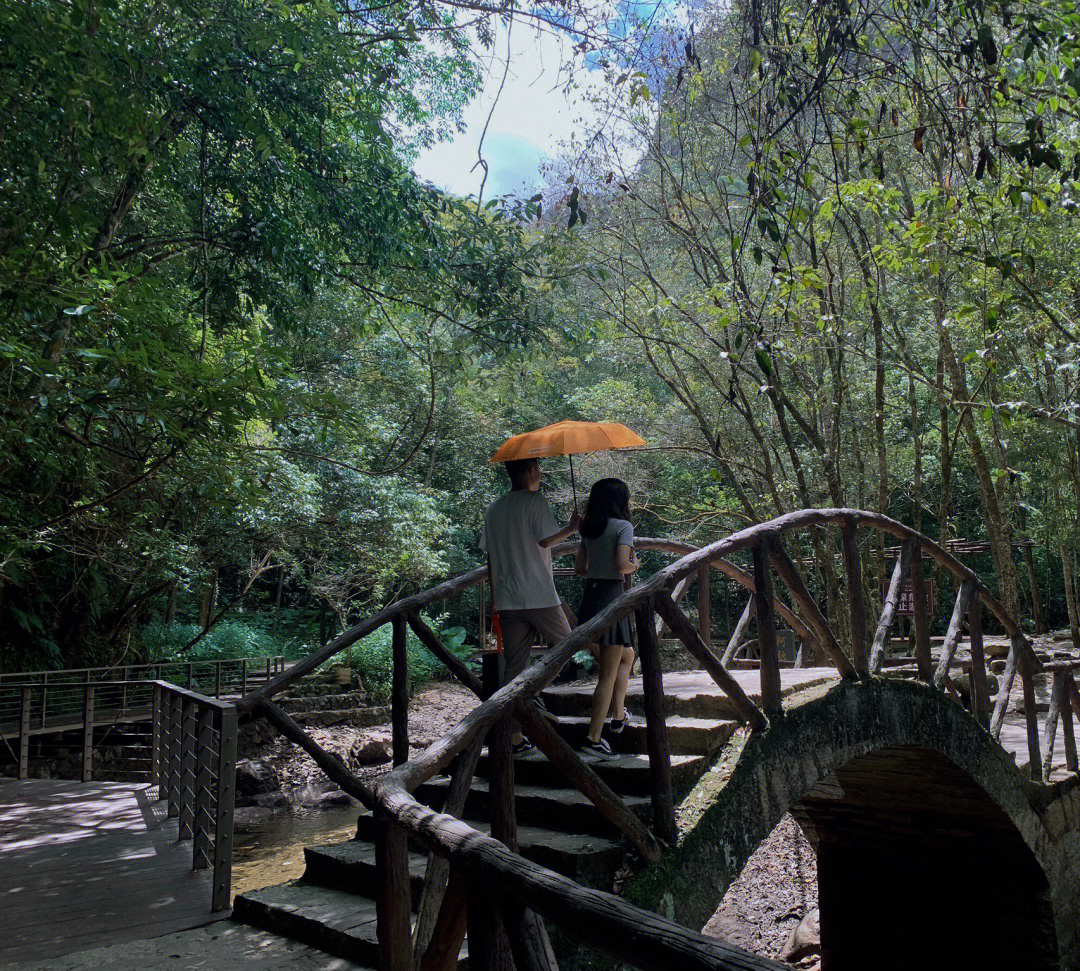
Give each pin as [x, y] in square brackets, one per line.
[333, 921]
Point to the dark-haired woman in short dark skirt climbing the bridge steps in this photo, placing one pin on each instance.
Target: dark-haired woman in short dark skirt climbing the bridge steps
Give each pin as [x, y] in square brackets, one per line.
[606, 558]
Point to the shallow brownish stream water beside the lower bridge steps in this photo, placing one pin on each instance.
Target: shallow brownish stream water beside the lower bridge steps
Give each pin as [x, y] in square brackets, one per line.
[276, 854]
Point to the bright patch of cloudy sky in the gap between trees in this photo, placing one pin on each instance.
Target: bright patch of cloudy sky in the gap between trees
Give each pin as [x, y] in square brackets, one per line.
[534, 115]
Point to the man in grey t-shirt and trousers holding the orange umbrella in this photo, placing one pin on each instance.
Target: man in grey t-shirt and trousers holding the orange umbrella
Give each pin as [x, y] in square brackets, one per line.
[519, 534]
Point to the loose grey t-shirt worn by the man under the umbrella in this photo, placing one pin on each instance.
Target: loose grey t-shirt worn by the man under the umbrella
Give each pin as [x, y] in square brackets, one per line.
[514, 527]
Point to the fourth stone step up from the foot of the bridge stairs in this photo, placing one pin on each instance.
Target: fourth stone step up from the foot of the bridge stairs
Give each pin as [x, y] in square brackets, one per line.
[563, 810]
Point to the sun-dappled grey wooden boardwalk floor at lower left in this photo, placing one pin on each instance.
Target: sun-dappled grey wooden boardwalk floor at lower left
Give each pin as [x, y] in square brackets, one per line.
[88, 865]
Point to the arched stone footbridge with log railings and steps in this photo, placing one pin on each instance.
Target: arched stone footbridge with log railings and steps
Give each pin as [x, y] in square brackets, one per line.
[944, 829]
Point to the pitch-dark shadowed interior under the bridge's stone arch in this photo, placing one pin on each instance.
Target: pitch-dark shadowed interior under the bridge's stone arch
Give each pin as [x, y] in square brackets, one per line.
[920, 868]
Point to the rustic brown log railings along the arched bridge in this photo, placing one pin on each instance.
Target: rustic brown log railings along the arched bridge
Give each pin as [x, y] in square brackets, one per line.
[479, 884]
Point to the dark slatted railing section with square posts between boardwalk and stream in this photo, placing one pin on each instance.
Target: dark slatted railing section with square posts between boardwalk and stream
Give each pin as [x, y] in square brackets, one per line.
[194, 764]
